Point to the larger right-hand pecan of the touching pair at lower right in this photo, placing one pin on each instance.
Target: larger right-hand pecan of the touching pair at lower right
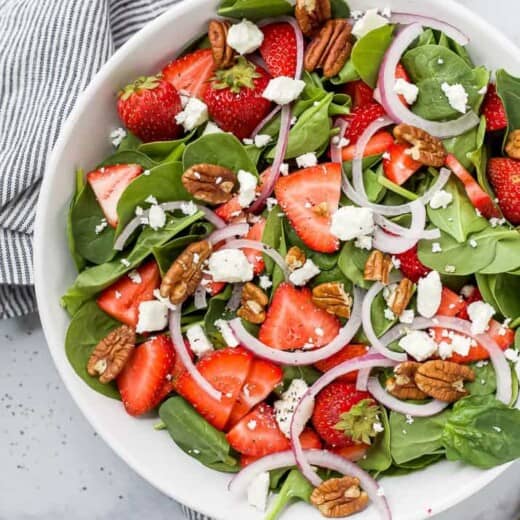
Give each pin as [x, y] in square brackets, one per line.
[443, 380]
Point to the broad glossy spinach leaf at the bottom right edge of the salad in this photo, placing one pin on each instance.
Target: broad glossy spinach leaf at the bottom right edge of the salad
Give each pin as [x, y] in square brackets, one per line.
[482, 431]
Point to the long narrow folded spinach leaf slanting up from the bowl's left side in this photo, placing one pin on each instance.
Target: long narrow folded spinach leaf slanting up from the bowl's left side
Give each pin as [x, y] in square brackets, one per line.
[95, 279]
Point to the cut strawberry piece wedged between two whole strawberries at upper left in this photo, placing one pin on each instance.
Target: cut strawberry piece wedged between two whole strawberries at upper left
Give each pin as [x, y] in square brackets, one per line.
[191, 73]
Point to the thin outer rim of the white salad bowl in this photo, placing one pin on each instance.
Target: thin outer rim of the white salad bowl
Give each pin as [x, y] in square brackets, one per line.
[450, 6]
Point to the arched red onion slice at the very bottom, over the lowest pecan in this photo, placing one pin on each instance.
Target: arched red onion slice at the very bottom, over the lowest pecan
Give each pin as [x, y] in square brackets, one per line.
[322, 458]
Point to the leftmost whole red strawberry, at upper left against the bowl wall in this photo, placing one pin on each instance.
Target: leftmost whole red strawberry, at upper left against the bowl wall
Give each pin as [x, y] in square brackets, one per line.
[148, 107]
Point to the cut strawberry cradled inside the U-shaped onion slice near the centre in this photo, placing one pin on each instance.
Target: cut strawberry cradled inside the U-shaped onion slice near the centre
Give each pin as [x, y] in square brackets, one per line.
[294, 321]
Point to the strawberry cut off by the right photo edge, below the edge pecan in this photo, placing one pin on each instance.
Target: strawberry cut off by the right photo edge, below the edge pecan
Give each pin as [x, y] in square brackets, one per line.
[504, 175]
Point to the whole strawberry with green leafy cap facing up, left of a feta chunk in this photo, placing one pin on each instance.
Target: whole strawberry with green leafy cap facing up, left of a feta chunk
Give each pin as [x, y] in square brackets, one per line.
[234, 98]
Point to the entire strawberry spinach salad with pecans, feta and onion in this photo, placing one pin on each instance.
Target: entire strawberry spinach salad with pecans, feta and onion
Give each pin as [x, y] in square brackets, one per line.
[302, 254]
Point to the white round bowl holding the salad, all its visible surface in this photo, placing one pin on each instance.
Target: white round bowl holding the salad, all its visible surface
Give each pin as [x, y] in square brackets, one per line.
[84, 142]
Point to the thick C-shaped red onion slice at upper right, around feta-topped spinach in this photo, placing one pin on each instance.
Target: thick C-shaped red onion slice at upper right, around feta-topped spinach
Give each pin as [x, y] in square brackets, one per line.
[392, 104]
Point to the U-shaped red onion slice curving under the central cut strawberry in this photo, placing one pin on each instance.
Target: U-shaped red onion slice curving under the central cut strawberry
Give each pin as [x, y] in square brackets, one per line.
[301, 357]
